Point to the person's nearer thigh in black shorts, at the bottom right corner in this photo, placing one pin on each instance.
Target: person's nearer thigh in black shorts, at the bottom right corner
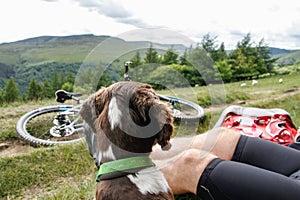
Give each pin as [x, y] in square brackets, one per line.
[228, 180]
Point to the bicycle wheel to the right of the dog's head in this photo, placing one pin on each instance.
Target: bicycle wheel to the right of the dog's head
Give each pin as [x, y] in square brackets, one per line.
[183, 109]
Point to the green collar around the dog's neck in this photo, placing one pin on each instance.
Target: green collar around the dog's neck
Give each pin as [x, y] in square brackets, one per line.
[122, 166]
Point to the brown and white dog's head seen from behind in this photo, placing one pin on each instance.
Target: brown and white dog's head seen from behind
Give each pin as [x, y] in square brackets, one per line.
[130, 115]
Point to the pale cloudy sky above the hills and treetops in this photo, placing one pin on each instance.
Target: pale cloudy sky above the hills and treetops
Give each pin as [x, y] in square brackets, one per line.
[276, 21]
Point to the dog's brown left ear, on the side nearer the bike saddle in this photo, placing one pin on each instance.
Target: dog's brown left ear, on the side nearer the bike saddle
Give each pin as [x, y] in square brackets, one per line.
[93, 106]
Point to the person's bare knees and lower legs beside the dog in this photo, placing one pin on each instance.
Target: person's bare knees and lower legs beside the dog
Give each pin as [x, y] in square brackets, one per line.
[184, 163]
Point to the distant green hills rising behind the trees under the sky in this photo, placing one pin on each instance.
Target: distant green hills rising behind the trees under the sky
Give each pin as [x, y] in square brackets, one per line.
[38, 57]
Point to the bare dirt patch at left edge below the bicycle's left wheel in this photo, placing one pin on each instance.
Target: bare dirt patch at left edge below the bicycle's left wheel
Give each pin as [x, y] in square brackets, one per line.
[8, 149]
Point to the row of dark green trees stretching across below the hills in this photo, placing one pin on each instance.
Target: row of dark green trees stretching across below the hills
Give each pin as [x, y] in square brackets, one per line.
[248, 60]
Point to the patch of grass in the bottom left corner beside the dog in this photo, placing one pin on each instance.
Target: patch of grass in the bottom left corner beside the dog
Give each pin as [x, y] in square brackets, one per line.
[47, 169]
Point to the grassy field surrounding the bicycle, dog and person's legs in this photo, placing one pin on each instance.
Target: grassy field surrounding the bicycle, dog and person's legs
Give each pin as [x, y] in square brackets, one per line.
[67, 172]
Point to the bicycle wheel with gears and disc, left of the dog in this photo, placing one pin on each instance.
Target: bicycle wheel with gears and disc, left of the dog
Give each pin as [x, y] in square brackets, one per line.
[38, 127]
